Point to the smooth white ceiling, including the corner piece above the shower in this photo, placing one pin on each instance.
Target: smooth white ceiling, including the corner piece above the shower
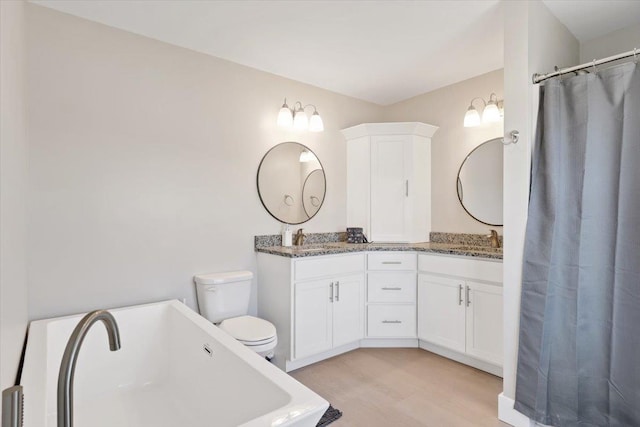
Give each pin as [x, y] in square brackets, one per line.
[378, 51]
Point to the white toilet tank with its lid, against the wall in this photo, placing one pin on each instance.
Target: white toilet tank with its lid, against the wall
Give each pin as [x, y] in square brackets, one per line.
[223, 295]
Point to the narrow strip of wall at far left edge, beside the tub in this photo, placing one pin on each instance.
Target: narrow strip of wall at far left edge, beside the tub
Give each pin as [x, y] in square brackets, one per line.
[13, 178]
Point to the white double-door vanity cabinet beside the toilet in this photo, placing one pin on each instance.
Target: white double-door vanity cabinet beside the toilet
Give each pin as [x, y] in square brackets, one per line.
[316, 304]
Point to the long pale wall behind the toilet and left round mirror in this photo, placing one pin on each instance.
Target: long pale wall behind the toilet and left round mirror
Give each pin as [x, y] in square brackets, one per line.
[143, 164]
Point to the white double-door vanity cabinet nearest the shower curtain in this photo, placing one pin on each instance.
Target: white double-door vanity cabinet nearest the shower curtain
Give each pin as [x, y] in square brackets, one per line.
[460, 309]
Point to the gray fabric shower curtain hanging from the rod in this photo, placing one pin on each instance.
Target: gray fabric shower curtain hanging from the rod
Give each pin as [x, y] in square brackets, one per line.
[579, 350]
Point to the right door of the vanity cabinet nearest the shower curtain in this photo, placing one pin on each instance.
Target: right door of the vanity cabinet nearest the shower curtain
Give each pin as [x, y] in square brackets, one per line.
[484, 321]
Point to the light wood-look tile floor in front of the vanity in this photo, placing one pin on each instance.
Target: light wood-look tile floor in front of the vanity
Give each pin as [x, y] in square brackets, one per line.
[404, 387]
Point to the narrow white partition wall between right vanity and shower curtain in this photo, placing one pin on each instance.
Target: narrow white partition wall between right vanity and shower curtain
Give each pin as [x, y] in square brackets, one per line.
[535, 41]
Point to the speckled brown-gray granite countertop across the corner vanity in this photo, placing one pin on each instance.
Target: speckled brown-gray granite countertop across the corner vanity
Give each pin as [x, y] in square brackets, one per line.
[332, 248]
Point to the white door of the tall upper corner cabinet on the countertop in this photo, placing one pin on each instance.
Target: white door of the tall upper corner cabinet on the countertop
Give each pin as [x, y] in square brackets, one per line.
[390, 159]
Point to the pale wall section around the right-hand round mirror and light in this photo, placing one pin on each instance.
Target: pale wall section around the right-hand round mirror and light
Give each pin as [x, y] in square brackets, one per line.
[452, 142]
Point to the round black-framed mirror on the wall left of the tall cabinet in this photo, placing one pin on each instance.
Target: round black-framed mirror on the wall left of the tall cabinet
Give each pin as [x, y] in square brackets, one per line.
[291, 183]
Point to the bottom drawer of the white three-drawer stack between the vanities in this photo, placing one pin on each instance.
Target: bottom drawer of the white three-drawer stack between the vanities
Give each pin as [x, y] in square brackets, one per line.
[392, 321]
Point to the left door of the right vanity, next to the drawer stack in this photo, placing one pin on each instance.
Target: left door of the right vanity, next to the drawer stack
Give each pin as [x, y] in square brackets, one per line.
[441, 311]
